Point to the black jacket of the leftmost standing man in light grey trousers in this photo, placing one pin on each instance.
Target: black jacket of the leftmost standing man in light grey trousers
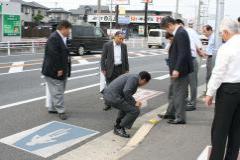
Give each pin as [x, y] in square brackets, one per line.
[56, 58]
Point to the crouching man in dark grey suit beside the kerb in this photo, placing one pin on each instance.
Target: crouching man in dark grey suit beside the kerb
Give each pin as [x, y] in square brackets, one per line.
[119, 95]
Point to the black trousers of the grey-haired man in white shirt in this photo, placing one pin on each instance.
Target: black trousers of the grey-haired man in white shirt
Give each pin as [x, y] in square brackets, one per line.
[226, 123]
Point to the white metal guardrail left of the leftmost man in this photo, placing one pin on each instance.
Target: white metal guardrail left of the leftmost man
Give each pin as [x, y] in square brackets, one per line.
[15, 48]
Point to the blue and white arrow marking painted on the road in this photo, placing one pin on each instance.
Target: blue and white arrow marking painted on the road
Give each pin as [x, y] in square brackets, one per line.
[49, 138]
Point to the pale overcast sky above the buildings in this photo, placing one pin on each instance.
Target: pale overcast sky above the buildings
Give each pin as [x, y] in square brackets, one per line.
[187, 7]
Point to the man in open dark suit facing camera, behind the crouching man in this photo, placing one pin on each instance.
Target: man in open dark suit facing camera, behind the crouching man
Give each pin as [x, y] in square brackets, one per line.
[114, 61]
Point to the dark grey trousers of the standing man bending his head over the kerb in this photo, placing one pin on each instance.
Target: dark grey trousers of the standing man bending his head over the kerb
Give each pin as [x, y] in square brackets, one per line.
[177, 98]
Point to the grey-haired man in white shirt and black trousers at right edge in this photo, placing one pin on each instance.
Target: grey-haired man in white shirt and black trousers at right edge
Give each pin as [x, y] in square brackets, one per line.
[225, 82]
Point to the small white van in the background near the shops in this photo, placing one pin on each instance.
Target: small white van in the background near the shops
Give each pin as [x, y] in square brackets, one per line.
[157, 37]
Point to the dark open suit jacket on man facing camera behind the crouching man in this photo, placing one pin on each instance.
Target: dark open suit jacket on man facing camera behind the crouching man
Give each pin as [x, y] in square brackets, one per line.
[107, 60]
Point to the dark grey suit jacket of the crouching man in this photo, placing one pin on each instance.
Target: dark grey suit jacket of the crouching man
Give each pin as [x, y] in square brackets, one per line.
[122, 89]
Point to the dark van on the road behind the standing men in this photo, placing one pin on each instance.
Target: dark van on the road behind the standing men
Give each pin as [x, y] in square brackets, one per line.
[86, 38]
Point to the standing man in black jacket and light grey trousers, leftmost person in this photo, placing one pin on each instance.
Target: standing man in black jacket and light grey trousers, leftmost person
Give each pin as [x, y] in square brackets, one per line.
[57, 67]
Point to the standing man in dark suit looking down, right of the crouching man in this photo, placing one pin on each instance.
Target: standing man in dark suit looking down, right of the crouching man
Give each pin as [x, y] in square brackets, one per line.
[180, 65]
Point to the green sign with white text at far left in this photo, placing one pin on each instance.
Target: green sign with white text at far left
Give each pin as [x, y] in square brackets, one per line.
[11, 25]
